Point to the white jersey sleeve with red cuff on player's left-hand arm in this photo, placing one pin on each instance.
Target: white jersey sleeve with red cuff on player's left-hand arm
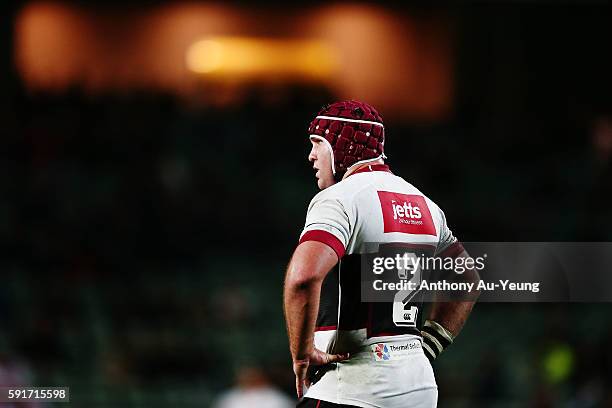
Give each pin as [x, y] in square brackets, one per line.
[327, 222]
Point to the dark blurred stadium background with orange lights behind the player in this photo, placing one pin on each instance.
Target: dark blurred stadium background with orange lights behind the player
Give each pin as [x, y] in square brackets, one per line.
[154, 182]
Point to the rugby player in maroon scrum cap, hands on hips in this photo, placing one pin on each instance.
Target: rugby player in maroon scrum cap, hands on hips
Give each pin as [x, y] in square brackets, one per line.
[349, 353]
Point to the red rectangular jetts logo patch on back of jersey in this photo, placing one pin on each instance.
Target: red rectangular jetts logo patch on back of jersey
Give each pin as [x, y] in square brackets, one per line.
[406, 213]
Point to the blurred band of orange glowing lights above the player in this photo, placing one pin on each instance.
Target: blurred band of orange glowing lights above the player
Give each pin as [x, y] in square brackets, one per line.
[400, 63]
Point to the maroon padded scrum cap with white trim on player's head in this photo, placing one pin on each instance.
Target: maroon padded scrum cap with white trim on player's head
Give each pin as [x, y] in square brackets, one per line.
[353, 131]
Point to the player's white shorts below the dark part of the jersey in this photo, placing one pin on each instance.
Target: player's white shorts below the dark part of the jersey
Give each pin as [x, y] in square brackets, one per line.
[389, 372]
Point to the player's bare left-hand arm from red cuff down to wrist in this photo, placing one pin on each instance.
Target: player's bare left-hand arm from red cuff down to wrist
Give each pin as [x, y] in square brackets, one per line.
[309, 265]
